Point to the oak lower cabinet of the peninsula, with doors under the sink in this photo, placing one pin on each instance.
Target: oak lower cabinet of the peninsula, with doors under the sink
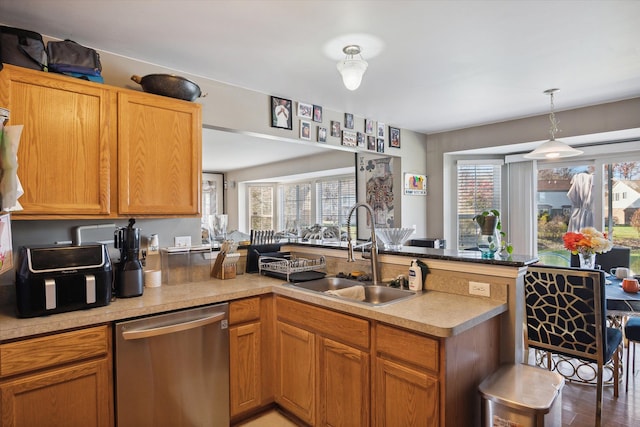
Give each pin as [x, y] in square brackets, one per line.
[334, 369]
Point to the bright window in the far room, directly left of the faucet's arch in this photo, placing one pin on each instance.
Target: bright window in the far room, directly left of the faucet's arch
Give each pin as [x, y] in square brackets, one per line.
[335, 198]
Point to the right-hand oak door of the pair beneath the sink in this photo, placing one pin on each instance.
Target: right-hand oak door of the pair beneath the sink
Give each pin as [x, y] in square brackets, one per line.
[344, 385]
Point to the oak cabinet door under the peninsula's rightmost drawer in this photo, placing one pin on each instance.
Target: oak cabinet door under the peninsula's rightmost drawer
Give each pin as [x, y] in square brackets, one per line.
[404, 397]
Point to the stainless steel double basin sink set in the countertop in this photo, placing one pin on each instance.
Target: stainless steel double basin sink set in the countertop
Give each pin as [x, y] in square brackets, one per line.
[374, 295]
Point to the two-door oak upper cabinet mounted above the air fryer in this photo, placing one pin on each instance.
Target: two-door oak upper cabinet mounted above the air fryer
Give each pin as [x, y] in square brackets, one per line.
[90, 150]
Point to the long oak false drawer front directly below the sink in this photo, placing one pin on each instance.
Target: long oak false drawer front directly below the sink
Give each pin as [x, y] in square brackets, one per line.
[341, 327]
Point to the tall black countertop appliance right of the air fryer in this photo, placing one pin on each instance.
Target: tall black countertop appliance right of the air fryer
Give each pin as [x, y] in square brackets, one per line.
[129, 282]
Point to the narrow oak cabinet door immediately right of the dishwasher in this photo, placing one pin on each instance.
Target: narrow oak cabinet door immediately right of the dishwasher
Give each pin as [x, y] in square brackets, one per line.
[245, 368]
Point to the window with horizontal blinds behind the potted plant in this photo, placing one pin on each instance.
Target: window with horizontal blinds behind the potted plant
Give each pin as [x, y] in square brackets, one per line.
[479, 189]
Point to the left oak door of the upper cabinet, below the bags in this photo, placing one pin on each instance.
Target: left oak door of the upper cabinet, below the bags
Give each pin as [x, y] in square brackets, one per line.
[64, 154]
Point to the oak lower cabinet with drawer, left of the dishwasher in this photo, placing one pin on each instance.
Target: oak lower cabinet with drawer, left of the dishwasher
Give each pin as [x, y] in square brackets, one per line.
[59, 380]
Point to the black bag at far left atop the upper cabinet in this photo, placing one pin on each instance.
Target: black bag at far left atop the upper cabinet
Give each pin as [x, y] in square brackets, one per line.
[23, 48]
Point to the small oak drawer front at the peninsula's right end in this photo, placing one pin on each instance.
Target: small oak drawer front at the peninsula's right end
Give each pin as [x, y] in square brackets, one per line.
[412, 348]
